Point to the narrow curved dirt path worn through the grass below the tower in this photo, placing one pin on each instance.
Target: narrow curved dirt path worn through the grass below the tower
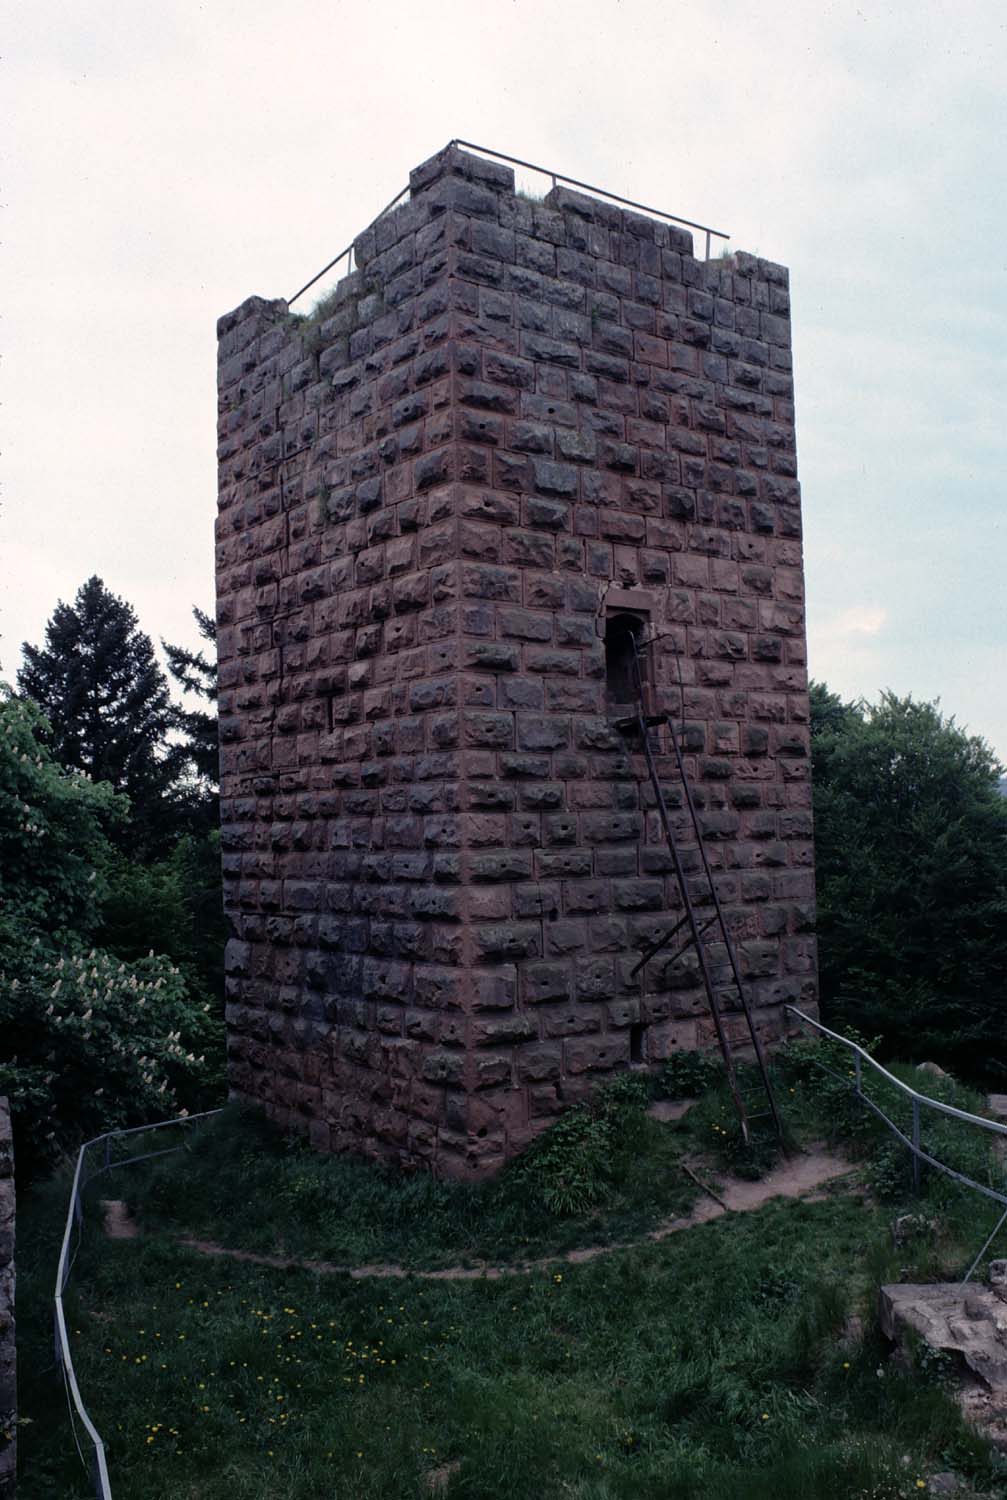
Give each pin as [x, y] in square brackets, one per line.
[796, 1178]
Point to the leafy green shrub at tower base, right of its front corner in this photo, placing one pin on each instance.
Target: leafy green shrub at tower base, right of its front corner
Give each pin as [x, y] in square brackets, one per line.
[574, 1163]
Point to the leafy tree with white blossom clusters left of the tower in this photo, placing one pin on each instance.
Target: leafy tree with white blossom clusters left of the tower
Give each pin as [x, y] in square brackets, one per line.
[89, 1039]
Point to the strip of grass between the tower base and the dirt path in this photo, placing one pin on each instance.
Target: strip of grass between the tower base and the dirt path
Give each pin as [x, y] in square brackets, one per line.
[356, 1213]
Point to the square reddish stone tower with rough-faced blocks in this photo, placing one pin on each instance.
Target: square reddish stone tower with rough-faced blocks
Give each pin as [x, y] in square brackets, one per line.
[517, 436]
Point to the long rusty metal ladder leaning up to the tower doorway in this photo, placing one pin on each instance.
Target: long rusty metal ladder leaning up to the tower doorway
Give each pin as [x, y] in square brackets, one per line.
[756, 1105]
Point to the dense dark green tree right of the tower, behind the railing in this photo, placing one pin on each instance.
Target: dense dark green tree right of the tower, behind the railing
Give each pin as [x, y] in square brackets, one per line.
[912, 869]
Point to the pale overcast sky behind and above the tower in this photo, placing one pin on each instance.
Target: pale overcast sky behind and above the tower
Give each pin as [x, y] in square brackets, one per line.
[172, 158]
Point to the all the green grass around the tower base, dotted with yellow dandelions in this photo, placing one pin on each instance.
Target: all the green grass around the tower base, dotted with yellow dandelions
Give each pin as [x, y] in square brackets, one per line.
[706, 1366]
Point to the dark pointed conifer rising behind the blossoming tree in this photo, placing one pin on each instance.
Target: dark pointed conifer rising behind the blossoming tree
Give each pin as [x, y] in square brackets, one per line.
[107, 706]
